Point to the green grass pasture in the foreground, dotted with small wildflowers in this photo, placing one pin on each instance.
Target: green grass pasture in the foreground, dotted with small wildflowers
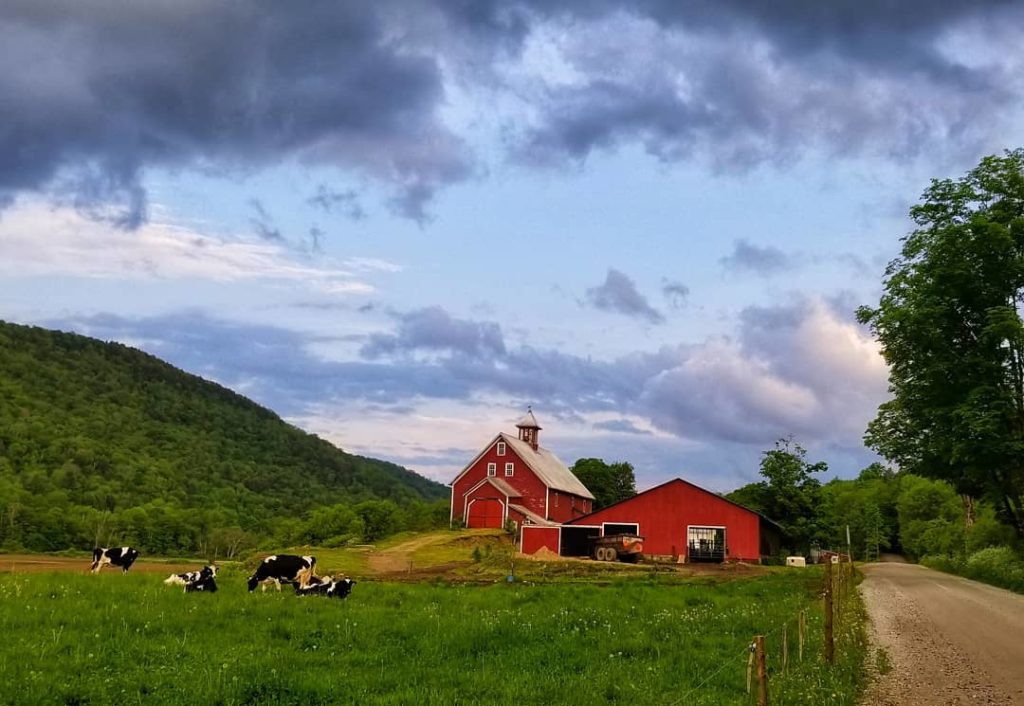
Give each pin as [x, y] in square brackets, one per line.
[646, 640]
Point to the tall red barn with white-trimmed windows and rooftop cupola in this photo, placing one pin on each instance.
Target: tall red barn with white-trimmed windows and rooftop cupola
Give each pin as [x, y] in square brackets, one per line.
[517, 479]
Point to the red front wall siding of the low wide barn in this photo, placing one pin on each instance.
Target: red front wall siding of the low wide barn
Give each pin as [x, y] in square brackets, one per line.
[665, 513]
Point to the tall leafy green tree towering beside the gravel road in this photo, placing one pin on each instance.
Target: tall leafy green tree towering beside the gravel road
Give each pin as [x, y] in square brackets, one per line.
[950, 325]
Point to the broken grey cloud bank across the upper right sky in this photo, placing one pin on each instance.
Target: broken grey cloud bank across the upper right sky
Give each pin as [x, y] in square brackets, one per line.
[742, 84]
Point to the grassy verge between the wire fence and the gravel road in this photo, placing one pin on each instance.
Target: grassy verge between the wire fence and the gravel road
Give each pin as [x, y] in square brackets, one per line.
[823, 643]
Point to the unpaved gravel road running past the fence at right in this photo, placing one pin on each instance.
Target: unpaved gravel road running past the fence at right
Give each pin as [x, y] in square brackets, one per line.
[950, 641]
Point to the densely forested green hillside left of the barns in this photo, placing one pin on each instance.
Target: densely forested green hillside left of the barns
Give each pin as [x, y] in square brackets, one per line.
[103, 443]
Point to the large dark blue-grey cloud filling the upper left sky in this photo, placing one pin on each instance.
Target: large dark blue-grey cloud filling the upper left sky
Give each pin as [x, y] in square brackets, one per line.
[94, 94]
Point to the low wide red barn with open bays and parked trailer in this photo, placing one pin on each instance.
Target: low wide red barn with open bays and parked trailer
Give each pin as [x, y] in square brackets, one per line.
[677, 520]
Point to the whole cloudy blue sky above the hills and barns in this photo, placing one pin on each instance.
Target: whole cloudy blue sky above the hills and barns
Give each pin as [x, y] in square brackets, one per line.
[400, 224]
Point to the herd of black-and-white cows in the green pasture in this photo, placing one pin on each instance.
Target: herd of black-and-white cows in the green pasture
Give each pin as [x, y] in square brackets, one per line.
[298, 572]
